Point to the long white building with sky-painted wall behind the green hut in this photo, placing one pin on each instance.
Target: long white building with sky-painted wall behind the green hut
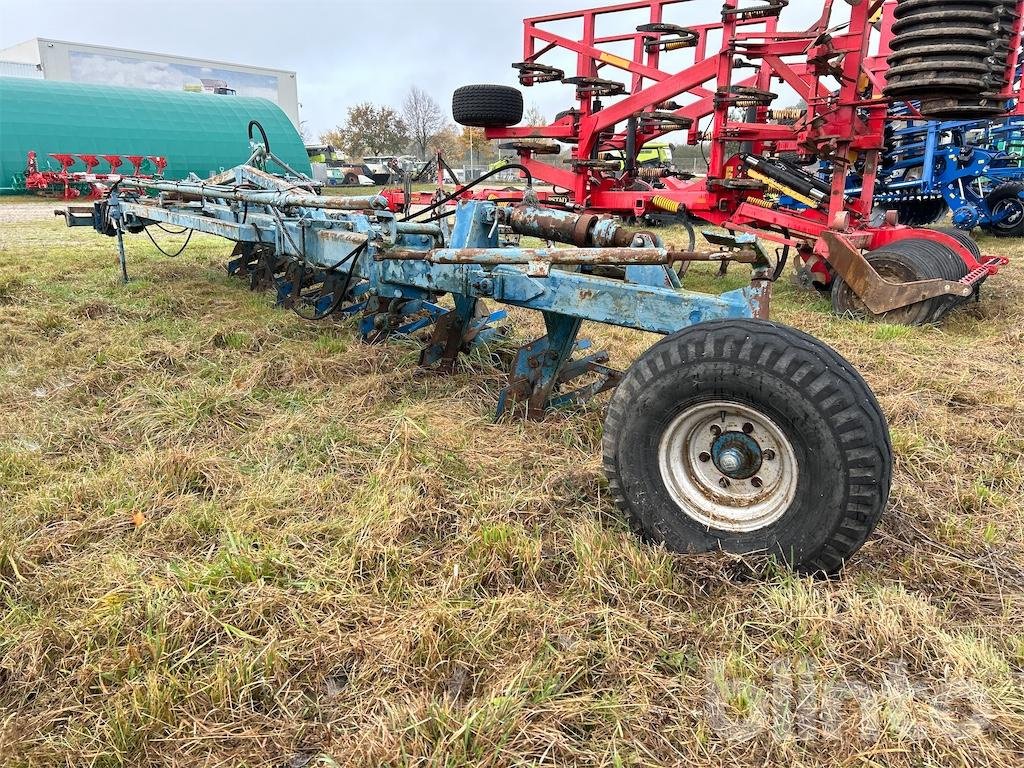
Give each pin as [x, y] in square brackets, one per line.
[78, 63]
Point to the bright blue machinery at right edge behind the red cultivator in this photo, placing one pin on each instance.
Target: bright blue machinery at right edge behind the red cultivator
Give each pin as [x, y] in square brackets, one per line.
[973, 168]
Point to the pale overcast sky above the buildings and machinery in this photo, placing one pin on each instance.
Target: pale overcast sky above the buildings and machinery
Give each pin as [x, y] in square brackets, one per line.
[344, 53]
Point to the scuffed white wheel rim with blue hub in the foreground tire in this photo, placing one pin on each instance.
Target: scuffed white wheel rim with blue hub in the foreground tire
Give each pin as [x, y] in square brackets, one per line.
[729, 466]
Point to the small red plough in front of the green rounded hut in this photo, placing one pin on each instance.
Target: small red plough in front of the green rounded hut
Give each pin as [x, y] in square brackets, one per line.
[71, 185]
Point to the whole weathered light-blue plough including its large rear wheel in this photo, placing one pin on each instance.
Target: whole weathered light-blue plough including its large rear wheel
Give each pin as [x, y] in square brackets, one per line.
[731, 434]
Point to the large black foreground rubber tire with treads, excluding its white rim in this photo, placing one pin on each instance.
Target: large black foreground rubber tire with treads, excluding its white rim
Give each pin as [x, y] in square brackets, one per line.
[821, 403]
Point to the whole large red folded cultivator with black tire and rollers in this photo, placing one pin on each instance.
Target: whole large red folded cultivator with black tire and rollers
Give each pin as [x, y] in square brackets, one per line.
[718, 83]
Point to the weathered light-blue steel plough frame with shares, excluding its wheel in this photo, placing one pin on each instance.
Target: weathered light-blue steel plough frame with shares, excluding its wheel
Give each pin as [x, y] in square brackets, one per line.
[397, 276]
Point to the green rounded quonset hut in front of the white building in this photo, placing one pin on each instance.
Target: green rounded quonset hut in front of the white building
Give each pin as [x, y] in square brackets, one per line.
[201, 134]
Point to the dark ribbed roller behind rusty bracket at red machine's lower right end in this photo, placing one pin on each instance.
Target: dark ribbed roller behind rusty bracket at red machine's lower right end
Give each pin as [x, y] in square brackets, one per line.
[907, 262]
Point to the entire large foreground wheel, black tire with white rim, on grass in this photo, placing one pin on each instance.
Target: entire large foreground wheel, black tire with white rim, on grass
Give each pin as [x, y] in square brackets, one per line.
[748, 437]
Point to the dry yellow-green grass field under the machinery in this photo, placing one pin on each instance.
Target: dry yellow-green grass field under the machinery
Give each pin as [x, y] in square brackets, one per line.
[229, 537]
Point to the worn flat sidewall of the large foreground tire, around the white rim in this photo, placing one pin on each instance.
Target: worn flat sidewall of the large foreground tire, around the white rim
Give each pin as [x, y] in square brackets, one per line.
[820, 505]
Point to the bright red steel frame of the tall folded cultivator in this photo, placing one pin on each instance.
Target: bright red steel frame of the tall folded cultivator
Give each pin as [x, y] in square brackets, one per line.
[837, 69]
